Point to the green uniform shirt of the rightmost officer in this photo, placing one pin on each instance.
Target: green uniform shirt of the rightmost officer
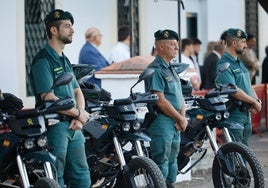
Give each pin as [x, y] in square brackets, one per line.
[238, 75]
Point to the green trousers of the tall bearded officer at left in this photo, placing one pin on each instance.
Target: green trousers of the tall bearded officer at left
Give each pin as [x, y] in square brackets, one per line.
[69, 150]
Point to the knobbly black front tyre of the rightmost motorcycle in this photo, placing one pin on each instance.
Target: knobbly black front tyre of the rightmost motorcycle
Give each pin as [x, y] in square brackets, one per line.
[250, 158]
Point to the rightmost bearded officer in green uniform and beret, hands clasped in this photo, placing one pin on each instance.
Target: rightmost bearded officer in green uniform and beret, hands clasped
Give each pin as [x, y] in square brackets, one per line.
[237, 74]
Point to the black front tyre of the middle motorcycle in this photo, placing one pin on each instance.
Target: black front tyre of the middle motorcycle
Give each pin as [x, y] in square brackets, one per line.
[151, 168]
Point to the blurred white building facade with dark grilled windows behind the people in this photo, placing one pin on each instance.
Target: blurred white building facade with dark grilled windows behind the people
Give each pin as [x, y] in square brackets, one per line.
[205, 19]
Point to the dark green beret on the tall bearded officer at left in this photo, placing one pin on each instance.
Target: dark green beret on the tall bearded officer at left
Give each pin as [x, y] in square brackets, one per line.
[58, 14]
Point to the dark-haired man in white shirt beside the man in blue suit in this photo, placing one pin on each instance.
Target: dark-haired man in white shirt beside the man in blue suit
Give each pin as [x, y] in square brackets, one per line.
[121, 51]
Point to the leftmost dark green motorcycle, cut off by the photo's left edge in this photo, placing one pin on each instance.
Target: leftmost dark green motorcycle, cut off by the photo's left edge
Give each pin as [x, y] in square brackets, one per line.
[25, 158]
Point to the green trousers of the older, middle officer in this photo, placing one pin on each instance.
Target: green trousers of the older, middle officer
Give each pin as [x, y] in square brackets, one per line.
[164, 146]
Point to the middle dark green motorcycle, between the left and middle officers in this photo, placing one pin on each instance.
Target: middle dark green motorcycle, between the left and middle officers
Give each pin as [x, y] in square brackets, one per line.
[113, 142]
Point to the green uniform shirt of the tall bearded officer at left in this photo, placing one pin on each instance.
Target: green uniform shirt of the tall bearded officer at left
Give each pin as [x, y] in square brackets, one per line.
[46, 67]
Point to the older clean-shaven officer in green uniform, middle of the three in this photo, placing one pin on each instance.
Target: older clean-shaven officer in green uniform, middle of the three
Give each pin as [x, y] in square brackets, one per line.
[165, 129]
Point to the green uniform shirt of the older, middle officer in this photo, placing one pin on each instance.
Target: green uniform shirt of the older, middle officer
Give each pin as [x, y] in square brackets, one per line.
[166, 81]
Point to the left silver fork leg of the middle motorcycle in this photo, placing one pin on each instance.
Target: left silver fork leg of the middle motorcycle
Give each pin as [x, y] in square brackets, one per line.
[128, 176]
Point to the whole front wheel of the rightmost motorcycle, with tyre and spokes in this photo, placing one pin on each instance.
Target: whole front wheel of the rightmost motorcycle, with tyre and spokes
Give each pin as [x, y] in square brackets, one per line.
[245, 169]
